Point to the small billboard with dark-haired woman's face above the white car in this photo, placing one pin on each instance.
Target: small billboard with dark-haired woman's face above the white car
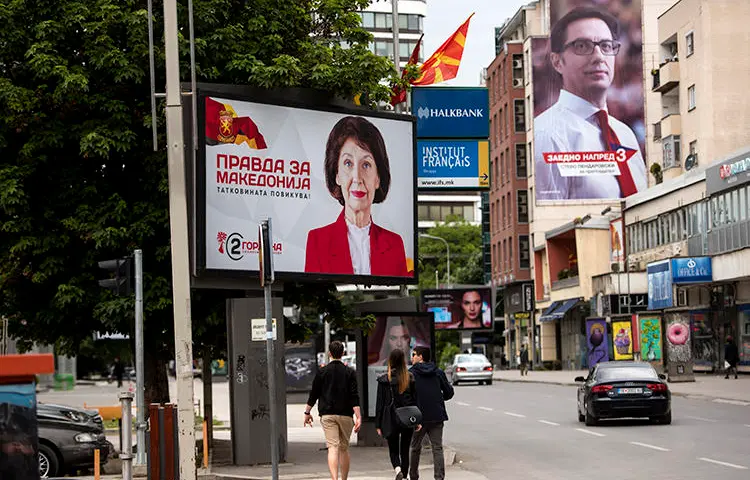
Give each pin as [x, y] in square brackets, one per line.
[459, 309]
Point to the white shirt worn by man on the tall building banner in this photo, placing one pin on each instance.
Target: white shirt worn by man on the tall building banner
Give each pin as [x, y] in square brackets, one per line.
[570, 126]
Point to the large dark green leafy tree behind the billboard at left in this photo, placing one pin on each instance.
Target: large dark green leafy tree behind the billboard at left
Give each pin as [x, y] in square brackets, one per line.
[79, 181]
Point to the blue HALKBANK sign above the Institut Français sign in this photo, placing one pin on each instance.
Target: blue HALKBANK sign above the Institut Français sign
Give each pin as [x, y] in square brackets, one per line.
[451, 112]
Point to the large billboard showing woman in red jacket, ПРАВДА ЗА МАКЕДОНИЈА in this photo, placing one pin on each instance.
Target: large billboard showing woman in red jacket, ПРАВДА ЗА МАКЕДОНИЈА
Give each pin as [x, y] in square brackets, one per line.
[339, 186]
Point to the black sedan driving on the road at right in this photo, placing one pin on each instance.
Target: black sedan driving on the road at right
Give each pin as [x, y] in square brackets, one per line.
[624, 390]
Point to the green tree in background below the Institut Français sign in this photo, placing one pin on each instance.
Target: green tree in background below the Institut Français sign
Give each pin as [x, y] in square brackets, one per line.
[465, 243]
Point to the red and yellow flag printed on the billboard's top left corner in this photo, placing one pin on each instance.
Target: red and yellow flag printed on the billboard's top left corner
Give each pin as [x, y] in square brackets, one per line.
[224, 126]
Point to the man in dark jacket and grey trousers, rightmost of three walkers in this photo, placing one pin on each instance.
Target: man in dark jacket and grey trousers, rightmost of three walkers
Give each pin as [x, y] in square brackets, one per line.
[433, 389]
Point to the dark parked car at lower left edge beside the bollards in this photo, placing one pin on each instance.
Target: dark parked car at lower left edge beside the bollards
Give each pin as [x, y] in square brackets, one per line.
[68, 437]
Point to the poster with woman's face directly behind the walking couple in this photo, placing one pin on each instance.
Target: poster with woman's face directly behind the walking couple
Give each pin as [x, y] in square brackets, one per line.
[394, 331]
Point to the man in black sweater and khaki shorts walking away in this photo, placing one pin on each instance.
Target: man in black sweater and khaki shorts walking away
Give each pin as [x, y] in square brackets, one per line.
[335, 388]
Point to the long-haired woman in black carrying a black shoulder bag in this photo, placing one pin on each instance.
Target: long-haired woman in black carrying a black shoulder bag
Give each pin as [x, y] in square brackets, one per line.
[396, 389]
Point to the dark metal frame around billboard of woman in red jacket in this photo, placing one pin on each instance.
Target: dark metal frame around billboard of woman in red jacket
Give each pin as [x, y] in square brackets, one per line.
[305, 99]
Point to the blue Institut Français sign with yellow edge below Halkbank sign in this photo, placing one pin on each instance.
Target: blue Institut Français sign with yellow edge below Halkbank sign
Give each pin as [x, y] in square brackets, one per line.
[453, 164]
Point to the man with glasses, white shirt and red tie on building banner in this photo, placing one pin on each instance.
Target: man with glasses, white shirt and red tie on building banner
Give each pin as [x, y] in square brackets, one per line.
[583, 50]
